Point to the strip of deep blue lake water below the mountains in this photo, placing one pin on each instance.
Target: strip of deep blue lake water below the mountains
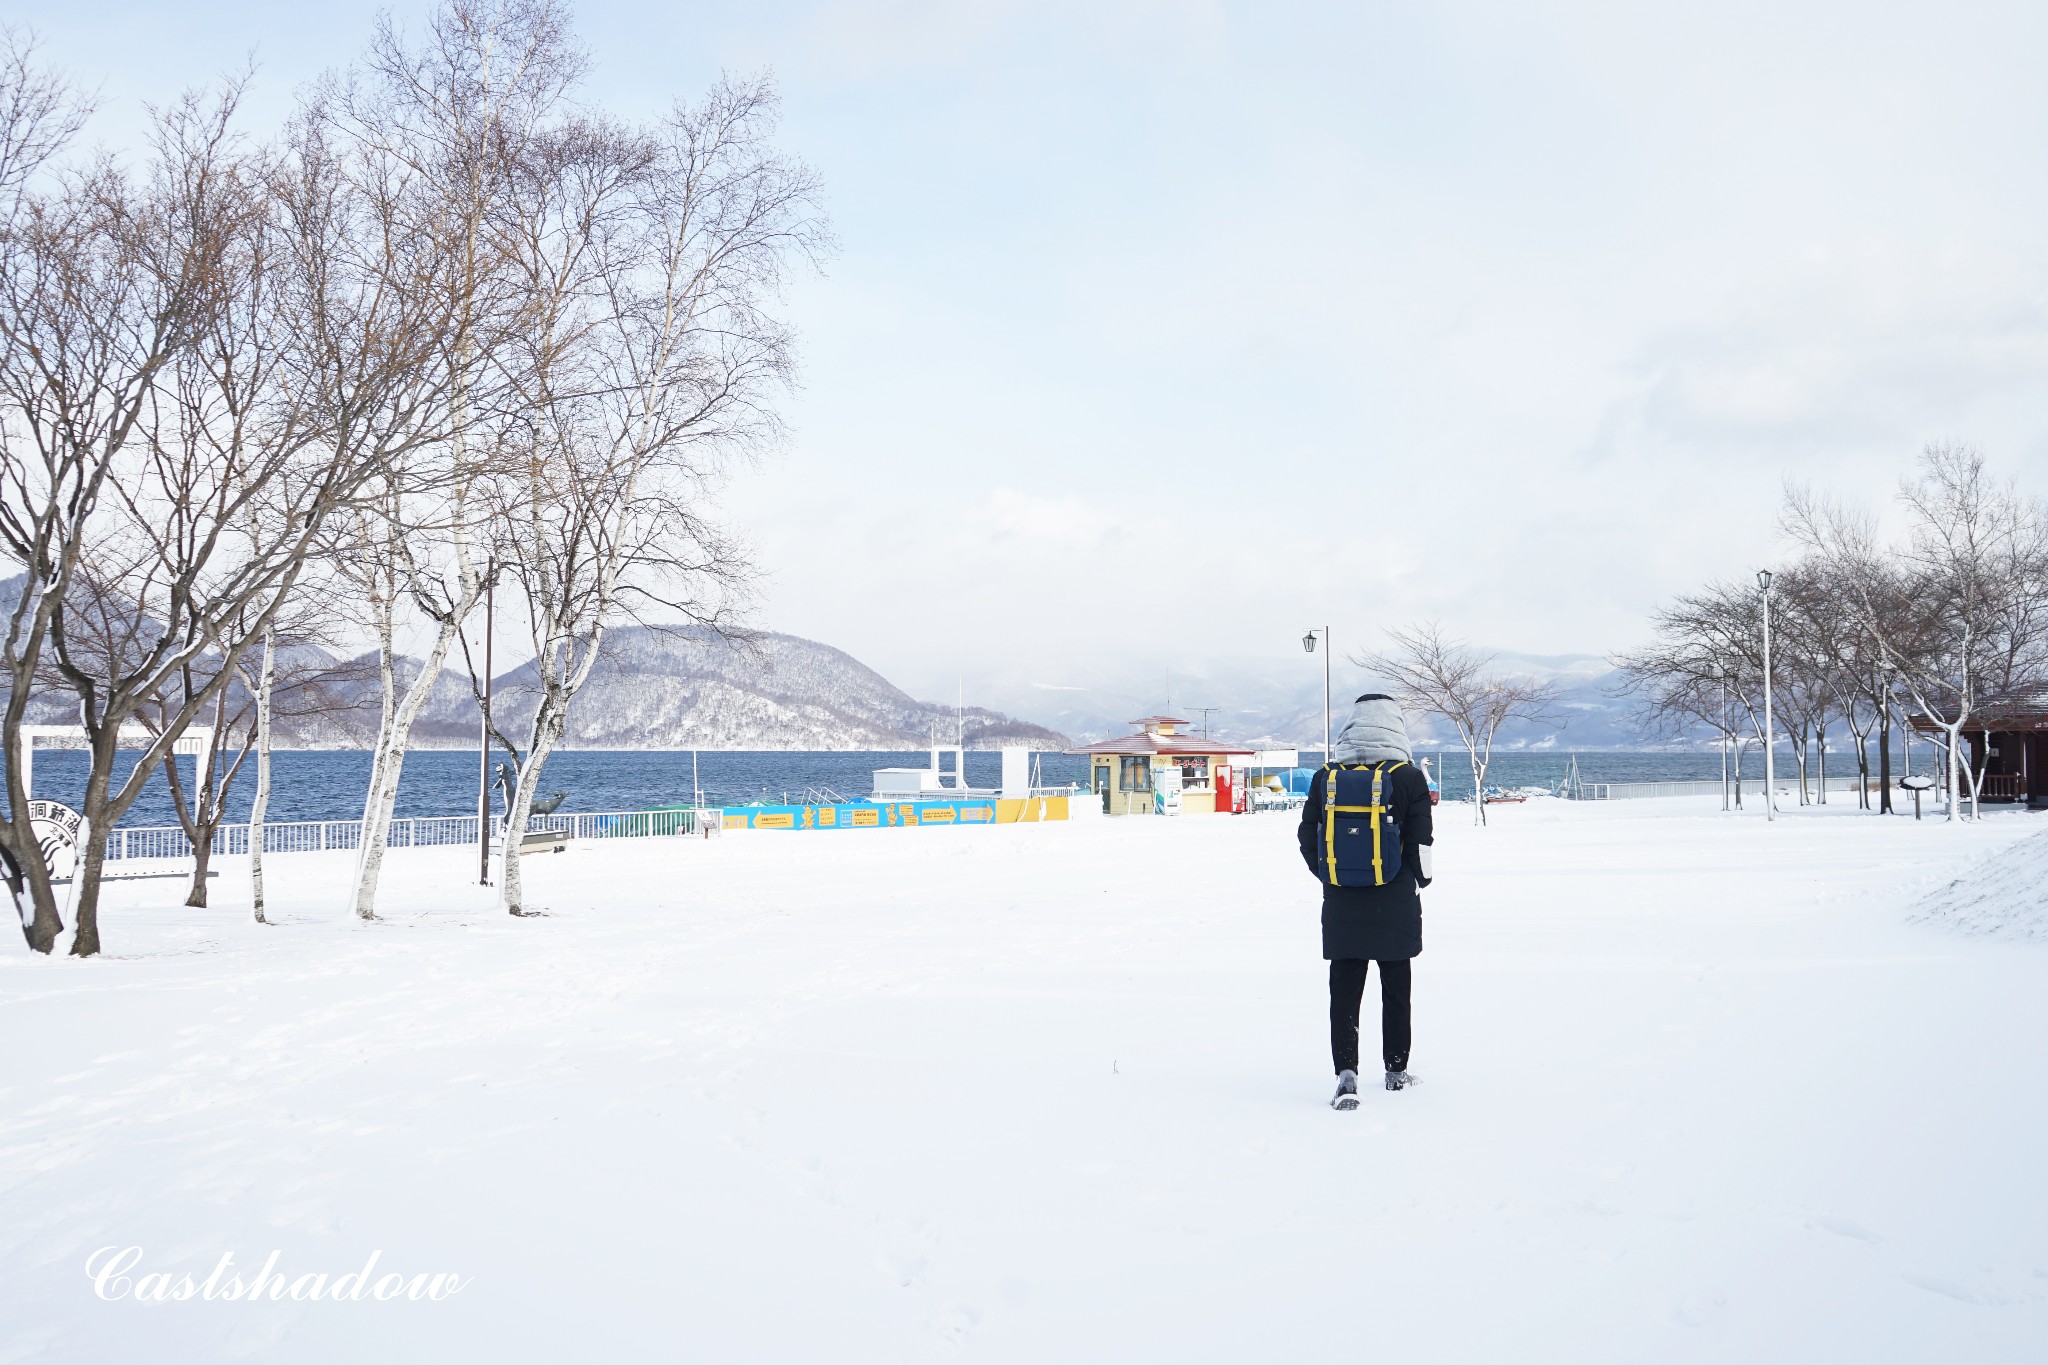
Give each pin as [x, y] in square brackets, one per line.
[329, 785]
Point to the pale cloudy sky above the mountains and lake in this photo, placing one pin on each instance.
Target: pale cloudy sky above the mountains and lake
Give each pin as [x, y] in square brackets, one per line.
[1162, 333]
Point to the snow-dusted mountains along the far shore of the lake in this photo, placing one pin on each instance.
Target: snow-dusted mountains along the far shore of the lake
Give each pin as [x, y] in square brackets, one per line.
[691, 689]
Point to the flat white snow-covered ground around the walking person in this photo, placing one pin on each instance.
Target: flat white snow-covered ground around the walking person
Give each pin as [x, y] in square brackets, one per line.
[1697, 1090]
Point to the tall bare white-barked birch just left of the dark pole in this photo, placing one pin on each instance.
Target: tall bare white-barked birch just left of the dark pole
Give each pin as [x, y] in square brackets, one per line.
[431, 134]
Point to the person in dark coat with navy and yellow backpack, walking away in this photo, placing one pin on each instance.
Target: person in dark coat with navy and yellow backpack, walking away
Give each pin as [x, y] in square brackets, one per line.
[1367, 834]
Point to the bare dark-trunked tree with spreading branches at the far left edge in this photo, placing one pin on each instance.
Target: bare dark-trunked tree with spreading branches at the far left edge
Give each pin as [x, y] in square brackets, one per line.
[181, 349]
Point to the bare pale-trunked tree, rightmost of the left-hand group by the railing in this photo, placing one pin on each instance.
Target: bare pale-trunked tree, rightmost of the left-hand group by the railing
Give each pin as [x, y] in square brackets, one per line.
[654, 361]
